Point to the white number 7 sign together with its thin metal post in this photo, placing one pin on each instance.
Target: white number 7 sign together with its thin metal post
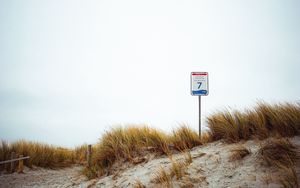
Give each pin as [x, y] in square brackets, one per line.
[199, 87]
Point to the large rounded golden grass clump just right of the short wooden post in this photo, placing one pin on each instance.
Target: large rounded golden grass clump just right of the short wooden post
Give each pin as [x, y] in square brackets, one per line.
[126, 143]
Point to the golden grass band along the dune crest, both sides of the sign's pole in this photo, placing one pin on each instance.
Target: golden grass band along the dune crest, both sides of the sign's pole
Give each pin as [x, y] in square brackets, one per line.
[233, 126]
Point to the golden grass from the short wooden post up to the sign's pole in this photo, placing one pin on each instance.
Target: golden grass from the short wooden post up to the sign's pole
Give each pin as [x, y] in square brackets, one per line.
[128, 144]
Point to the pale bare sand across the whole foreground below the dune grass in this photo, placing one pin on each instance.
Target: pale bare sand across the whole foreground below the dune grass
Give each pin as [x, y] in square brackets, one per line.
[211, 167]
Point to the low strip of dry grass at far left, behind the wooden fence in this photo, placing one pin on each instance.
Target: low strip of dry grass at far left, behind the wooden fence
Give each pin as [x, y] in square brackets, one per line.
[42, 155]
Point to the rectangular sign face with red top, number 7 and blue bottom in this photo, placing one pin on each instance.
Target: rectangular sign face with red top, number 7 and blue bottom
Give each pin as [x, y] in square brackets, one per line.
[199, 83]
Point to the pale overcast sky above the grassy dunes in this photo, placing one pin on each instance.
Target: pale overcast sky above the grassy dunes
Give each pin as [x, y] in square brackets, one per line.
[69, 70]
